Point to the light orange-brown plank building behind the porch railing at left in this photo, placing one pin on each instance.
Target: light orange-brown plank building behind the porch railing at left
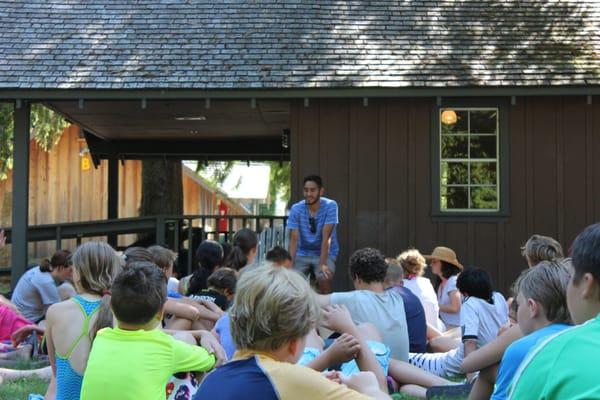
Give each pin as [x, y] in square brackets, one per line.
[60, 191]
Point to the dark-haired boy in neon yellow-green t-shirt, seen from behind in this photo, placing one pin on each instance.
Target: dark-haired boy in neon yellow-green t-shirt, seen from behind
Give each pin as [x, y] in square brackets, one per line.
[135, 360]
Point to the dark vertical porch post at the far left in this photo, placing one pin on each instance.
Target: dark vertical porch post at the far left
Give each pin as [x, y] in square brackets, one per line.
[20, 217]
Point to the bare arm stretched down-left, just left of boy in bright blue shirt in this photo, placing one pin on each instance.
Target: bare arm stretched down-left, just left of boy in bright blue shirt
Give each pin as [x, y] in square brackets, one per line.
[492, 352]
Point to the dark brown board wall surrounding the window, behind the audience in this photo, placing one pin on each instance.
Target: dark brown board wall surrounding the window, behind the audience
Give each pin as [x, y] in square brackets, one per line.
[376, 162]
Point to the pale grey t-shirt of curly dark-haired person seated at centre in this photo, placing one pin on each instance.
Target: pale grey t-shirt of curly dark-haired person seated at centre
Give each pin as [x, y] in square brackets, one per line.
[385, 311]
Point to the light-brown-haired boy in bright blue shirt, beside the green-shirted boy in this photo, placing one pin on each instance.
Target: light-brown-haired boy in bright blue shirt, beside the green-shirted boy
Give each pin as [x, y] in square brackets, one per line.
[542, 312]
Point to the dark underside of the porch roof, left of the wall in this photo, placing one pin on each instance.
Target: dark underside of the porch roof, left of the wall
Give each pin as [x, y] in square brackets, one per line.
[178, 119]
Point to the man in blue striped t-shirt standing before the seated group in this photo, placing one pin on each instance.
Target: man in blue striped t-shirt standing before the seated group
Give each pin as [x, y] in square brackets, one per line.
[313, 240]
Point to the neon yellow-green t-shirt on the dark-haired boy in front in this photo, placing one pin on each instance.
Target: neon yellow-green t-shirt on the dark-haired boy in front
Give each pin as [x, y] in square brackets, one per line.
[133, 365]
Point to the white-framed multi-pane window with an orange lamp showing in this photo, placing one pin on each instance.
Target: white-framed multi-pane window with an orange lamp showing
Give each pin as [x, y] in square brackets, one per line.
[469, 159]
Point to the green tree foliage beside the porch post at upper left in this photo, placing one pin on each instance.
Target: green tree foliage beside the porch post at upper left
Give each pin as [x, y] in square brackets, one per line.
[46, 129]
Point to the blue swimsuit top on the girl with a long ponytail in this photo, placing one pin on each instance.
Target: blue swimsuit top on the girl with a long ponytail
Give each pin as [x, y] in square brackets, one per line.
[68, 381]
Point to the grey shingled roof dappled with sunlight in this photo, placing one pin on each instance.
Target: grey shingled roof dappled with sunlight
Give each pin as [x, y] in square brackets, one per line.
[197, 44]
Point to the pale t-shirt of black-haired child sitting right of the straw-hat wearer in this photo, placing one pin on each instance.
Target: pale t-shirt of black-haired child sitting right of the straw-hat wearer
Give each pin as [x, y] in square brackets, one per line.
[480, 321]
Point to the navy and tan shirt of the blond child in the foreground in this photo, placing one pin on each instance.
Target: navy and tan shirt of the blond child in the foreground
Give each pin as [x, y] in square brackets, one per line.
[257, 376]
